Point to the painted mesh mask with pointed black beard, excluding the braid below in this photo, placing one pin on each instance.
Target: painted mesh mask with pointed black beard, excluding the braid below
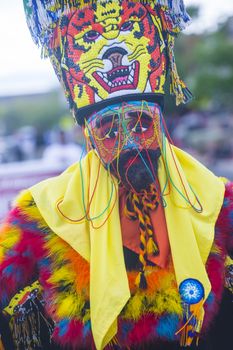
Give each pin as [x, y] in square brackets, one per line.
[128, 139]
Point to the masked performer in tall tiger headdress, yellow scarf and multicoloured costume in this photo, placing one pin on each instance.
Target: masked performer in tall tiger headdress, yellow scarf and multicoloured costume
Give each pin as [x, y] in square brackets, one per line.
[130, 247]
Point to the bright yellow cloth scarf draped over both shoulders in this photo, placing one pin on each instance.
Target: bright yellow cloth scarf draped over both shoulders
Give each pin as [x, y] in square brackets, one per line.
[63, 201]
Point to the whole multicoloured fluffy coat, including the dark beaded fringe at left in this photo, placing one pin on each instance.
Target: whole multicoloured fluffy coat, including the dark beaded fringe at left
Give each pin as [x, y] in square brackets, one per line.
[44, 288]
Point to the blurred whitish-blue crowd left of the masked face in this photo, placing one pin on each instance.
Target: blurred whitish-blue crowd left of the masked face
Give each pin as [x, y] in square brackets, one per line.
[53, 146]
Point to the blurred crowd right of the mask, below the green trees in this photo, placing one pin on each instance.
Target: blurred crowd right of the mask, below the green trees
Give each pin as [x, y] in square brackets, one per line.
[206, 136]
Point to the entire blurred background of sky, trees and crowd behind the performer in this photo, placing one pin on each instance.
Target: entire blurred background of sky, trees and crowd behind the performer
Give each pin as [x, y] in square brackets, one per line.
[38, 137]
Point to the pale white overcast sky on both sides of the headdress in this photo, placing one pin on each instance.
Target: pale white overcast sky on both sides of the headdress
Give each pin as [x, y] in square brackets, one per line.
[22, 70]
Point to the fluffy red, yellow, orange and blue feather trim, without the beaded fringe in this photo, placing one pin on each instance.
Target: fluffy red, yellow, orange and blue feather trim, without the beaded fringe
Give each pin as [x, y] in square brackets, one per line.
[155, 314]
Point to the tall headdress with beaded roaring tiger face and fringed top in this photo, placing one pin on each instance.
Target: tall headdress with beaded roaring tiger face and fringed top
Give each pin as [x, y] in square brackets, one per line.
[109, 51]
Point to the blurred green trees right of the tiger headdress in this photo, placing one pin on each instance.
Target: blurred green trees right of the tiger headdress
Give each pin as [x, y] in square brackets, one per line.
[206, 63]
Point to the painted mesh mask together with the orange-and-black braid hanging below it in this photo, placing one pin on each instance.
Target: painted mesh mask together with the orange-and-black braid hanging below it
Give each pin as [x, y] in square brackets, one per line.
[127, 138]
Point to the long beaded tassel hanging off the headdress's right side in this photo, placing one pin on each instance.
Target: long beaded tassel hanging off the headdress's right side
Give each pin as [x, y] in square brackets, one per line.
[177, 86]
